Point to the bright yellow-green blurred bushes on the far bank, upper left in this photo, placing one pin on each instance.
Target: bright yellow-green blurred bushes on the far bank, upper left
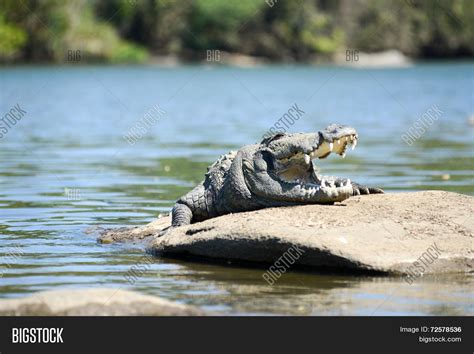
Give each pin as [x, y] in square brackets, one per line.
[46, 30]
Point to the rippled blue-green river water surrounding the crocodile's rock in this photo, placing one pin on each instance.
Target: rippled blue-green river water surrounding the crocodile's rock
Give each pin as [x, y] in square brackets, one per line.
[65, 166]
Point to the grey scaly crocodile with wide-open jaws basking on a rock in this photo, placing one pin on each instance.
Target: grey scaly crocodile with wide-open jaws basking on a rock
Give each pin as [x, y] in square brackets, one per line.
[279, 171]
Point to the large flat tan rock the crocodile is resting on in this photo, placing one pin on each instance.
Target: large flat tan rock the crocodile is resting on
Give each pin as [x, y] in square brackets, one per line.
[384, 233]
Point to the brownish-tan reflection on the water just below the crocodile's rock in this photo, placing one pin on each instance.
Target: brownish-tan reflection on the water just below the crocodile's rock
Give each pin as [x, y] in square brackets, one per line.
[243, 291]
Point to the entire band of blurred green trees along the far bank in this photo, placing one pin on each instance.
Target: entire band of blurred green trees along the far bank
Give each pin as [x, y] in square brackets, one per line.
[290, 30]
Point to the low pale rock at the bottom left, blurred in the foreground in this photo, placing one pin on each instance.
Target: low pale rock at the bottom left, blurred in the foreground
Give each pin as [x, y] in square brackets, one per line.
[93, 302]
